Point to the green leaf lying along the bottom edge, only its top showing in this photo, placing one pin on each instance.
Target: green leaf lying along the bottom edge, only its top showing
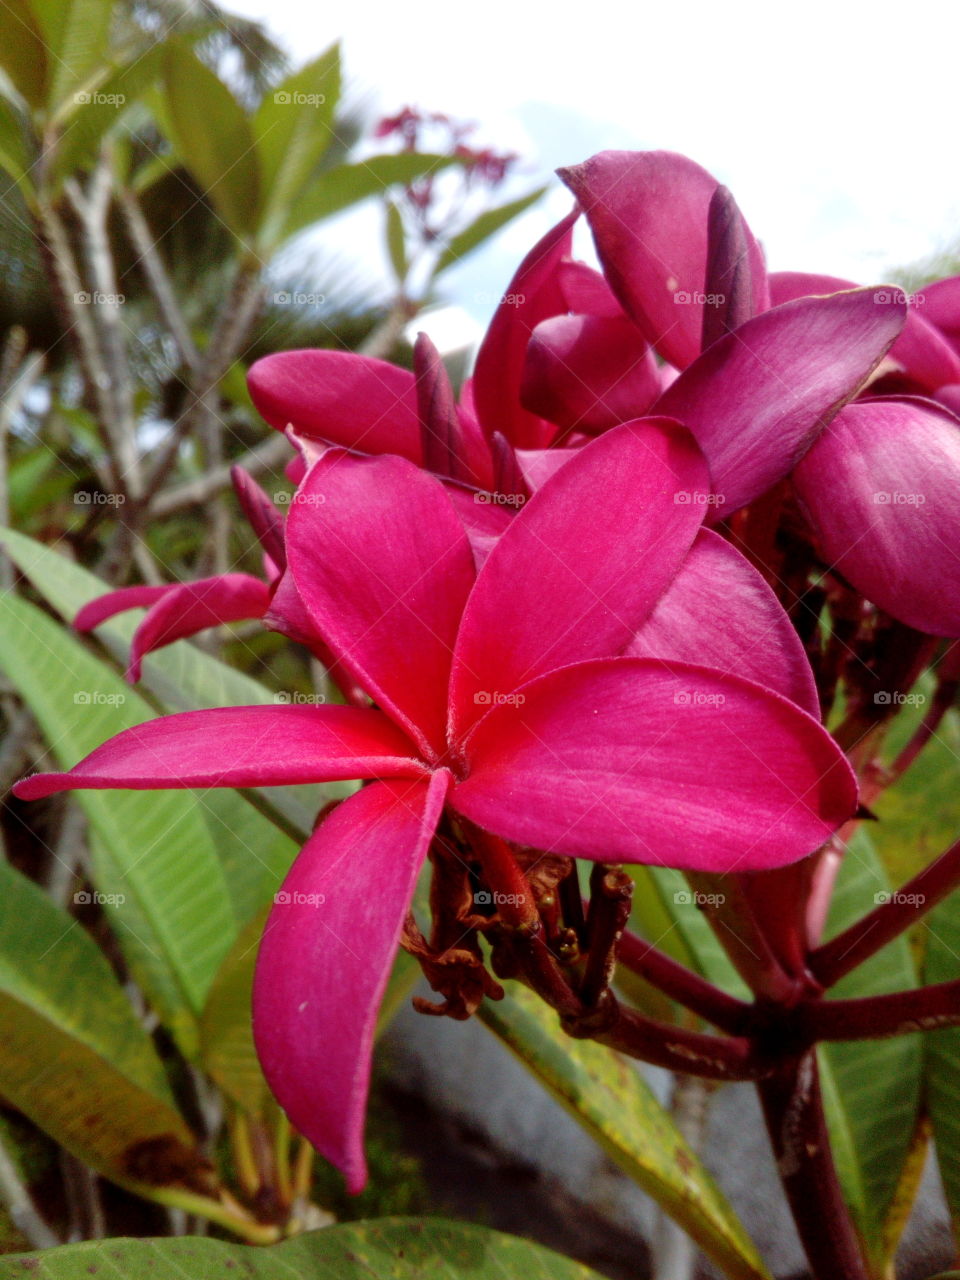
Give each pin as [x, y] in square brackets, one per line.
[386, 1249]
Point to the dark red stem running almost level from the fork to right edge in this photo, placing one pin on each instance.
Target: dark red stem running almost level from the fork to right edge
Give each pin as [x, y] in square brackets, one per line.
[879, 1017]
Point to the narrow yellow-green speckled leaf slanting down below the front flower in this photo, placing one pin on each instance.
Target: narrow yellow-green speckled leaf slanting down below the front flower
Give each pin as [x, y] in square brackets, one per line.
[611, 1100]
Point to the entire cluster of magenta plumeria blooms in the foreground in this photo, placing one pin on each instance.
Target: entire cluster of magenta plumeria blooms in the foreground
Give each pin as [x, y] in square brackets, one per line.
[556, 606]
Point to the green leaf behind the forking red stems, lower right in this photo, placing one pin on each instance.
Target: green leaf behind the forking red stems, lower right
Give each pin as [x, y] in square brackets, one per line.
[872, 1089]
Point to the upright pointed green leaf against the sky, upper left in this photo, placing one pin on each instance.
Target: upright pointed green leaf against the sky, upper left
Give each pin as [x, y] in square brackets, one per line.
[292, 131]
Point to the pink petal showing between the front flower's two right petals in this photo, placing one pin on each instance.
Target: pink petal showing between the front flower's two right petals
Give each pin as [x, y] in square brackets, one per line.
[721, 614]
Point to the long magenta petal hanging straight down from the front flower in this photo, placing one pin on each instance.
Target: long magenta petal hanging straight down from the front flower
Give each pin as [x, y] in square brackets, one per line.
[326, 958]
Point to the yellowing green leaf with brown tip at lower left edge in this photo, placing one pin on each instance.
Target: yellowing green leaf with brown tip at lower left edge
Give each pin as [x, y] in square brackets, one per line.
[72, 1057]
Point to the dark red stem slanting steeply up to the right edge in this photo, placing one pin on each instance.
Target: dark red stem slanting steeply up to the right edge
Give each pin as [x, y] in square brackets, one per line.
[849, 950]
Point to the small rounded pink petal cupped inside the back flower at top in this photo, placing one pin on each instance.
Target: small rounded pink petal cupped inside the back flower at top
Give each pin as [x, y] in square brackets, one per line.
[588, 373]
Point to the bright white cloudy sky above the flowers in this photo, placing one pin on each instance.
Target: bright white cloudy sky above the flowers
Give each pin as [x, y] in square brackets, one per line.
[834, 124]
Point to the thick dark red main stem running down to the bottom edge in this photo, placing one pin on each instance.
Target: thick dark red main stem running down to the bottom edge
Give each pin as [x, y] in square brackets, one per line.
[793, 1108]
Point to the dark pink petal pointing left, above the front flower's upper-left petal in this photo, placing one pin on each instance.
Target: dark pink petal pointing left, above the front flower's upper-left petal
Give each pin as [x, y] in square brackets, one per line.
[340, 397]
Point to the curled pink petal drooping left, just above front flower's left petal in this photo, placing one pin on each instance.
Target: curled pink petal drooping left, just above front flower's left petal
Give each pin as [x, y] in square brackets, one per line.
[194, 607]
